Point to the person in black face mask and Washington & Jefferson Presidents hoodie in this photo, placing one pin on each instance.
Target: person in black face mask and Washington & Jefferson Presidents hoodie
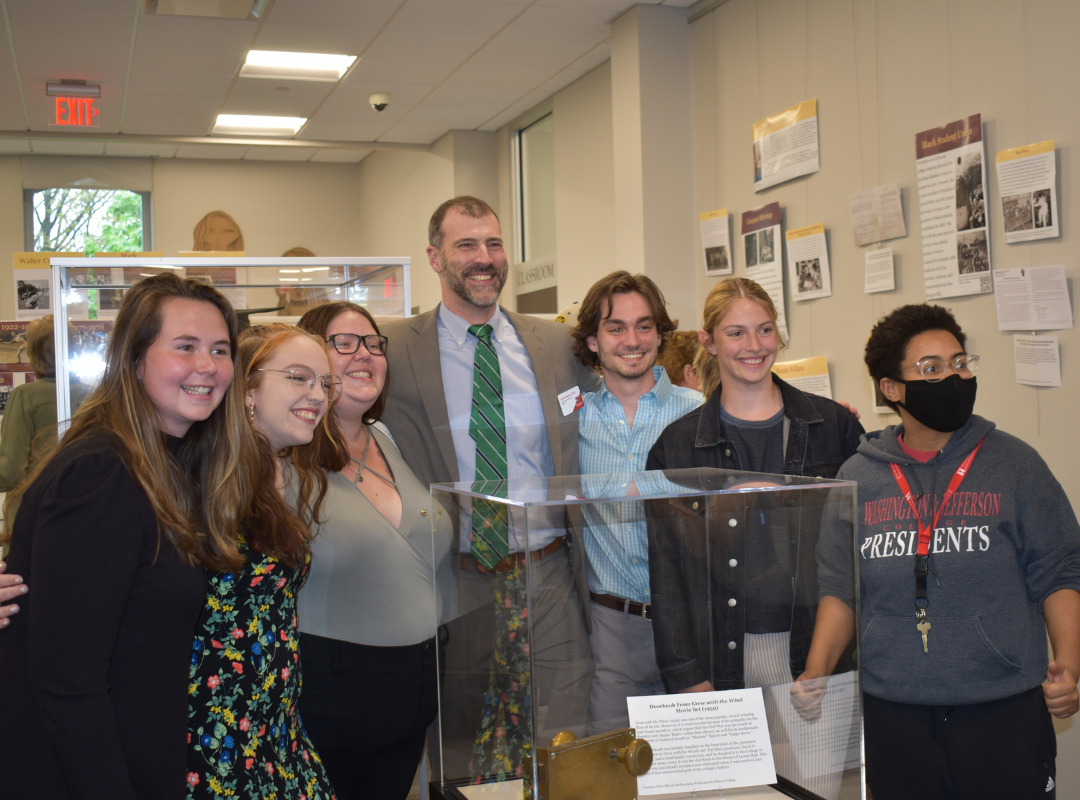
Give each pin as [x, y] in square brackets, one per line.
[969, 555]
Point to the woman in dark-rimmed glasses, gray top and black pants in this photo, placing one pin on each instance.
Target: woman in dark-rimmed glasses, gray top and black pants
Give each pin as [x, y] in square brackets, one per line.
[369, 608]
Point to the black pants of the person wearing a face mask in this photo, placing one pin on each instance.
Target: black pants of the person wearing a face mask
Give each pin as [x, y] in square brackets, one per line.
[1004, 749]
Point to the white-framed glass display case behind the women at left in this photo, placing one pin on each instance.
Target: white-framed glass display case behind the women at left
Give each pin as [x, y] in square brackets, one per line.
[89, 292]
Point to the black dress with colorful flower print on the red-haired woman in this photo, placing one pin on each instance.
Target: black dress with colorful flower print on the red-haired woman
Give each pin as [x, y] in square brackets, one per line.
[246, 739]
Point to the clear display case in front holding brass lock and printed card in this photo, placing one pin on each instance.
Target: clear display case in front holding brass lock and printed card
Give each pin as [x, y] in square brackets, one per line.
[591, 590]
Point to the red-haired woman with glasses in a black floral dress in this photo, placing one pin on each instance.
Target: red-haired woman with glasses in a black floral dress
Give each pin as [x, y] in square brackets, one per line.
[246, 739]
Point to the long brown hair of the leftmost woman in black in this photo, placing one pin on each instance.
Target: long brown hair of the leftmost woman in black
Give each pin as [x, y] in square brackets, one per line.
[202, 497]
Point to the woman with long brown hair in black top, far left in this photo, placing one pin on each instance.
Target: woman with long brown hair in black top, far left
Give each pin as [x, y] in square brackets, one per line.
[115, 532]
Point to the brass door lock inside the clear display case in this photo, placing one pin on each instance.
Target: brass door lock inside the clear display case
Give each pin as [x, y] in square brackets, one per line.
[604, 767]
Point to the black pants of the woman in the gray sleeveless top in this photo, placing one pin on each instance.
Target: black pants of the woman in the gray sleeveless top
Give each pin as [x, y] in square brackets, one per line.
[367, 711]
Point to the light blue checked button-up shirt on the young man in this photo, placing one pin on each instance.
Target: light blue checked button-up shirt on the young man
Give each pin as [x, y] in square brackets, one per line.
[610, 452]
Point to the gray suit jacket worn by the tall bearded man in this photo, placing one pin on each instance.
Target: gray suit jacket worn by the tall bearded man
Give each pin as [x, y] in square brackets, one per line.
[416, 409]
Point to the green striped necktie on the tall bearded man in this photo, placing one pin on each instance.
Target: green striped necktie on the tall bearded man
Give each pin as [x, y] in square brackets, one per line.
[488, 426]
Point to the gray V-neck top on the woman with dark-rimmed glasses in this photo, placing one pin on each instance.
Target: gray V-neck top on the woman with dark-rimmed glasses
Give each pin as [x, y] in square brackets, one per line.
[372, 584]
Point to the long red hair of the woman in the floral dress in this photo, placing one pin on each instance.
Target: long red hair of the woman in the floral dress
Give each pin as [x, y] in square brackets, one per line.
[312, 462]
